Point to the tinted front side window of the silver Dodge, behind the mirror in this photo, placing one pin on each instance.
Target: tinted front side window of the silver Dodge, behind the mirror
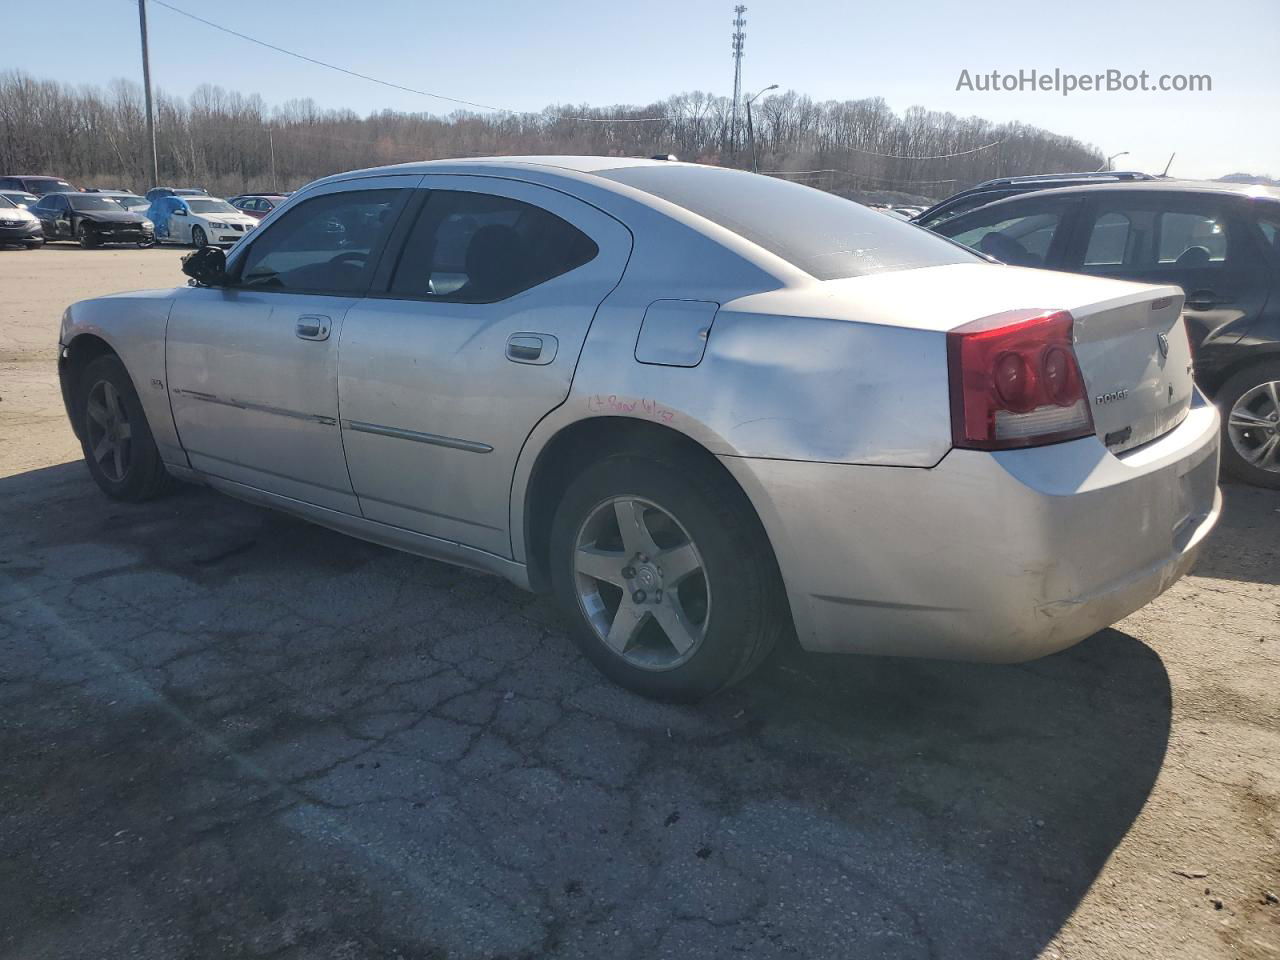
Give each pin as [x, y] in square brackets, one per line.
[324, 245]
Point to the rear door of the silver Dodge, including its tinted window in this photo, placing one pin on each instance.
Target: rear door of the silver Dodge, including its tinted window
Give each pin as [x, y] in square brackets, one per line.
[470, 339]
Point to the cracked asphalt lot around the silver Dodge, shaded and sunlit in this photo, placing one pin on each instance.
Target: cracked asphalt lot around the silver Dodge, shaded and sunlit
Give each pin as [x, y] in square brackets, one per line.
[230, 734]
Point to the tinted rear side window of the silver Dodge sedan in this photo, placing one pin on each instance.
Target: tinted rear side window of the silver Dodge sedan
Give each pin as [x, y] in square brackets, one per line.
[479, 249]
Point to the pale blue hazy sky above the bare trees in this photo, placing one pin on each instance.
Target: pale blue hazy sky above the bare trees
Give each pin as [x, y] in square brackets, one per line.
[527, 56]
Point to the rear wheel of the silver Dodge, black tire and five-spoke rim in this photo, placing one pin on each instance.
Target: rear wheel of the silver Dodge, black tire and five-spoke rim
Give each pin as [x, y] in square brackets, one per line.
[665, 575]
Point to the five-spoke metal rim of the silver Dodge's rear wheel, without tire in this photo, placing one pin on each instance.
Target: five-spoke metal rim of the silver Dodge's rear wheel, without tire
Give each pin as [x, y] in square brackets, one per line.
[642, 583]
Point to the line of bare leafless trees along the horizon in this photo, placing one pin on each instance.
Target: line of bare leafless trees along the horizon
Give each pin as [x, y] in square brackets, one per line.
[230, 143]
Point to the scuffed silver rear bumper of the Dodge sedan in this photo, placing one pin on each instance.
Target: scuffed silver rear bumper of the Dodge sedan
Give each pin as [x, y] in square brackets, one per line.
[999, 557]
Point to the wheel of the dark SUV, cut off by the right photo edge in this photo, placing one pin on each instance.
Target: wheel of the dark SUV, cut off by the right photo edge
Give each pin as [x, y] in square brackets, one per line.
[1250, 403]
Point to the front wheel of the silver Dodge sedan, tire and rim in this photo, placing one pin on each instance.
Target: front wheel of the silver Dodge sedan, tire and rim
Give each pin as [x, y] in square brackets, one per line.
[120, 450]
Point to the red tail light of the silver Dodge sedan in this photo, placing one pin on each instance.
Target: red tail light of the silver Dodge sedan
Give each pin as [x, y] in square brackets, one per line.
[1016, 382]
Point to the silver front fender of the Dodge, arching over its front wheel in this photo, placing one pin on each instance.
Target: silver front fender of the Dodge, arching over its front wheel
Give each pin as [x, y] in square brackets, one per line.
[134, 326]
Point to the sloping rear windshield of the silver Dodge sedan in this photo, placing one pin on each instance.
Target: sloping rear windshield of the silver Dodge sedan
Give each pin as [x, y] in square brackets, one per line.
[826, 236]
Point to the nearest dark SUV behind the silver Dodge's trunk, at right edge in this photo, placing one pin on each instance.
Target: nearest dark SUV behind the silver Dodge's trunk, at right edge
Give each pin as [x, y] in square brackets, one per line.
[1220, 243]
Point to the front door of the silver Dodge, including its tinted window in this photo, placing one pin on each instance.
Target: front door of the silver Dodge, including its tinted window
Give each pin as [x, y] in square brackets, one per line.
[253, 365]
